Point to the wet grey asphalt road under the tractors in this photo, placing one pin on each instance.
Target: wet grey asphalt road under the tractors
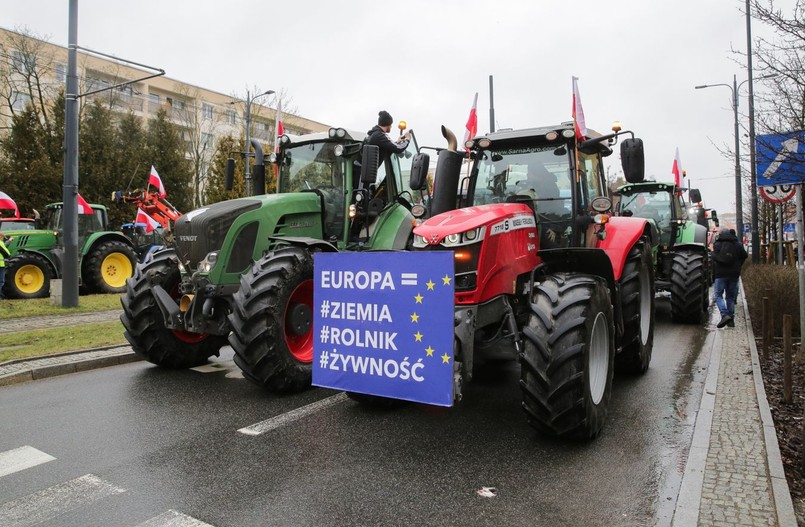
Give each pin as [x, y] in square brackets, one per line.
[139, 445]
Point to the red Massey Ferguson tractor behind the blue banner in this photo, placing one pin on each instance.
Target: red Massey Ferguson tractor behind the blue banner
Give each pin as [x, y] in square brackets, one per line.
[543, 272]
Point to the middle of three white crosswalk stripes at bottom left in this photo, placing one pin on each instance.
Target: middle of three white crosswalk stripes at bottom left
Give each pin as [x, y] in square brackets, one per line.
[47, 504]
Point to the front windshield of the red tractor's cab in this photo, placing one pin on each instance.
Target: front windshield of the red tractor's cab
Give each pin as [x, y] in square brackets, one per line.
[541, 173]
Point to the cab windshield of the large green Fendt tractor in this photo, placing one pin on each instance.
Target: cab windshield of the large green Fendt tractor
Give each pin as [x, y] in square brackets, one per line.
[310, 166]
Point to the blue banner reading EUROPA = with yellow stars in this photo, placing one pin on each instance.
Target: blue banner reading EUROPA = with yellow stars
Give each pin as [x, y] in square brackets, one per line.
[383, 324]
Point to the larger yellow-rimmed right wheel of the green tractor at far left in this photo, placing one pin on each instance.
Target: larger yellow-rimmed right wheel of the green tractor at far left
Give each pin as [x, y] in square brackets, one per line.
[108, 265]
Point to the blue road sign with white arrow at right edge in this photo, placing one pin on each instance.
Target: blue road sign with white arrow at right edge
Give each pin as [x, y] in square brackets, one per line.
[780, 158]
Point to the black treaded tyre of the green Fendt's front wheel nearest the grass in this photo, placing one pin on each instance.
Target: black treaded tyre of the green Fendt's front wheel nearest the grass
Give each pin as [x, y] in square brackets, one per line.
[144, 326]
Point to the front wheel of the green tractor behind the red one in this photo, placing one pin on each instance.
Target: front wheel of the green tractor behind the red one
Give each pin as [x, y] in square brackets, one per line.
[688, 287]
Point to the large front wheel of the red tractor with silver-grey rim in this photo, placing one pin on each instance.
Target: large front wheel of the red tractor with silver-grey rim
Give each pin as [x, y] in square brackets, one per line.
[568, 356]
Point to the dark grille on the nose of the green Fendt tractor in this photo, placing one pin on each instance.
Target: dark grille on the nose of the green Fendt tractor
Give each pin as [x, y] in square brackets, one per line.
[196, 235]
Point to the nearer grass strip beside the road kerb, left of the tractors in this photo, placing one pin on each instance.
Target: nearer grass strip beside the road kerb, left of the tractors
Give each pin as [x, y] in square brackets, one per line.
[43, 342]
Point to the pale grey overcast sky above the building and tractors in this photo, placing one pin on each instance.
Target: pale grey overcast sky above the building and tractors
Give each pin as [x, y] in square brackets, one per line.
[423, 60]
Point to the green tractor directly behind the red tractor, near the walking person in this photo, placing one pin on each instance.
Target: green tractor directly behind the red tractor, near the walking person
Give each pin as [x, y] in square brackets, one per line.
[681, 252]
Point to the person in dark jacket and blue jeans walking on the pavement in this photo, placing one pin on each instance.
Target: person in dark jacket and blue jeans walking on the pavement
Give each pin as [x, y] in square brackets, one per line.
[728, 258]
